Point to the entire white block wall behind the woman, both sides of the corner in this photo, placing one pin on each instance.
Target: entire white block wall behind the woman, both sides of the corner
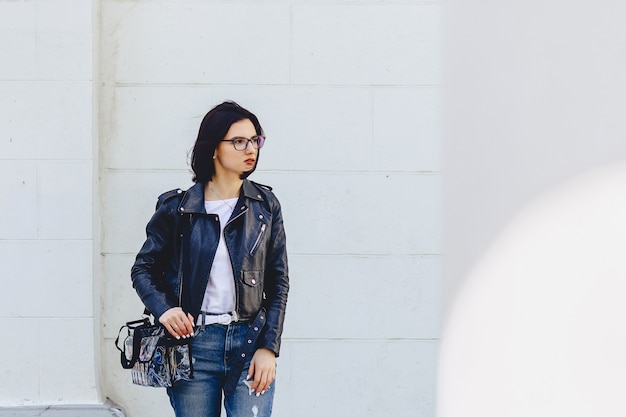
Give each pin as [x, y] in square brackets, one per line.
[348, 93]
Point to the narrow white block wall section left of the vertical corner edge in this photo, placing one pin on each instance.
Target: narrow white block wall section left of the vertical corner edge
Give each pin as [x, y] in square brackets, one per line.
[46, 227]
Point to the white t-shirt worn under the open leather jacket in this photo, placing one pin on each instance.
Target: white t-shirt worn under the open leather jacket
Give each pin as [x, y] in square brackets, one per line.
[219, 296]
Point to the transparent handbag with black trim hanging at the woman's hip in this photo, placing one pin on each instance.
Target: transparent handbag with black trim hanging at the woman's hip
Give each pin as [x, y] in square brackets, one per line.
[155, 358]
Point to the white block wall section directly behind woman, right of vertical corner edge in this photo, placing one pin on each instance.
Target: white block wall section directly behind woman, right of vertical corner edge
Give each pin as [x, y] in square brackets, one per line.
[348, 93]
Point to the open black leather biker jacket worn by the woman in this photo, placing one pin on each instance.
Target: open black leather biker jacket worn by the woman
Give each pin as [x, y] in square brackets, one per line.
[181, 232]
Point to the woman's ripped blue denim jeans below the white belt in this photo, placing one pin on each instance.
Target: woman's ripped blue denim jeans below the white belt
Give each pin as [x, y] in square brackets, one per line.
[213, 351]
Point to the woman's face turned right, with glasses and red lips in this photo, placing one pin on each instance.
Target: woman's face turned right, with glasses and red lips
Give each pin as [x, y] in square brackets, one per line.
[228, 160]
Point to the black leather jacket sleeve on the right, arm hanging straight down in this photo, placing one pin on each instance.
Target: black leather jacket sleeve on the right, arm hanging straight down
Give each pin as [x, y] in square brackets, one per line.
[276, 282]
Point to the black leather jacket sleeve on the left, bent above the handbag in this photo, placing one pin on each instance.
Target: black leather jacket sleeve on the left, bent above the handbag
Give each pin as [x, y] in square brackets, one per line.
[157, 251]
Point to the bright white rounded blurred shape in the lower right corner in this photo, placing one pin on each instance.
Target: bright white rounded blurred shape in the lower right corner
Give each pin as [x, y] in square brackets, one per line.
[538, 328]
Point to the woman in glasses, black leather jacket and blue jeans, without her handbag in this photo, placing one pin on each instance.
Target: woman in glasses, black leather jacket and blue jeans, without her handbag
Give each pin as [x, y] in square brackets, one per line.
[214, 267]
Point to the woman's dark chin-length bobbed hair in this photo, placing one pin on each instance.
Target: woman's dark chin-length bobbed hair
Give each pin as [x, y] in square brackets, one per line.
[213, 128]
